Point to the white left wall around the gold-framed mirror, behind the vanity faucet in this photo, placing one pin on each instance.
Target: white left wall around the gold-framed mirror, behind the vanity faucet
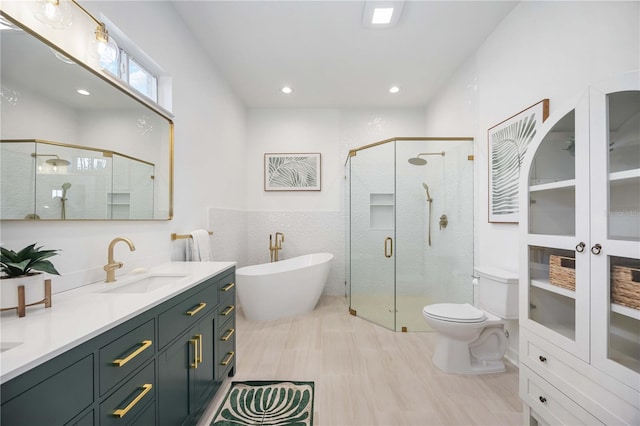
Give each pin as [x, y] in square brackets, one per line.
[210, 125]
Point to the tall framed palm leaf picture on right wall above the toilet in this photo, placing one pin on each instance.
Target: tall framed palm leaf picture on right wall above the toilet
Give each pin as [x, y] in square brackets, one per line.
[507, 144]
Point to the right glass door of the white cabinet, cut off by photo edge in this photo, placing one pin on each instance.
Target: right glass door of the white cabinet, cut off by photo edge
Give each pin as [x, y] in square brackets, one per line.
[615, 247]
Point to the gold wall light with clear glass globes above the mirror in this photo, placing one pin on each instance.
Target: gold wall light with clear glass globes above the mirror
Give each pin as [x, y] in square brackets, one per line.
[58, 14]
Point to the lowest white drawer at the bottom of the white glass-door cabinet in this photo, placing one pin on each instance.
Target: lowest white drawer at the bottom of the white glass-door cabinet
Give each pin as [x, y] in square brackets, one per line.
[551, 404]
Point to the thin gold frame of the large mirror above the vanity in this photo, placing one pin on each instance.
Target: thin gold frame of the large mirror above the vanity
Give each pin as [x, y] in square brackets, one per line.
[125, 90]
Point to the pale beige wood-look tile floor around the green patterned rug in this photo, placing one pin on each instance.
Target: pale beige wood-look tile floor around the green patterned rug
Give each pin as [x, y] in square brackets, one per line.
[367, 375]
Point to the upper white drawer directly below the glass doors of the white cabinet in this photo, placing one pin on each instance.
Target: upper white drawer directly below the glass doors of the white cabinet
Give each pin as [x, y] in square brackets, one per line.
[596, 392]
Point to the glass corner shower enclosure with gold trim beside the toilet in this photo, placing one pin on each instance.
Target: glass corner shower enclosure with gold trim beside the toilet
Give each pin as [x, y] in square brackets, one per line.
[409, 228]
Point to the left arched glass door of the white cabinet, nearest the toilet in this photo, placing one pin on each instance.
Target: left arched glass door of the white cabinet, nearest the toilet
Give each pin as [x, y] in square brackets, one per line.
[557, 226]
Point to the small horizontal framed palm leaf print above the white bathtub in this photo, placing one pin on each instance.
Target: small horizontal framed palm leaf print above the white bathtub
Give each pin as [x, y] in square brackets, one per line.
[292, 172]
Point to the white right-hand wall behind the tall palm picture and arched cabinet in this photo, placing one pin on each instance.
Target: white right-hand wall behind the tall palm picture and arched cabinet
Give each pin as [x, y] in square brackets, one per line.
[541, 50]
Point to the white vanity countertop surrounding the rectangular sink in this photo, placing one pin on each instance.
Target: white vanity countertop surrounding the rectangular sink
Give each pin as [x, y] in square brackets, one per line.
[78, 315]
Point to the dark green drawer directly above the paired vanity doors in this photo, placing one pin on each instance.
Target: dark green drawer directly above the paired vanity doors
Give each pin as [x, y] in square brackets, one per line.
[185, 314]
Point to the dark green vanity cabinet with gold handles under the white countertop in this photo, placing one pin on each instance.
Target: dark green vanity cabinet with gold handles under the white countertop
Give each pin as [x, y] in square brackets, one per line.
[161, 367]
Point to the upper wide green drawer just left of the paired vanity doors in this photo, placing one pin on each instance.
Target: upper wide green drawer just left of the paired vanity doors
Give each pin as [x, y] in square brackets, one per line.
[122, 356]
